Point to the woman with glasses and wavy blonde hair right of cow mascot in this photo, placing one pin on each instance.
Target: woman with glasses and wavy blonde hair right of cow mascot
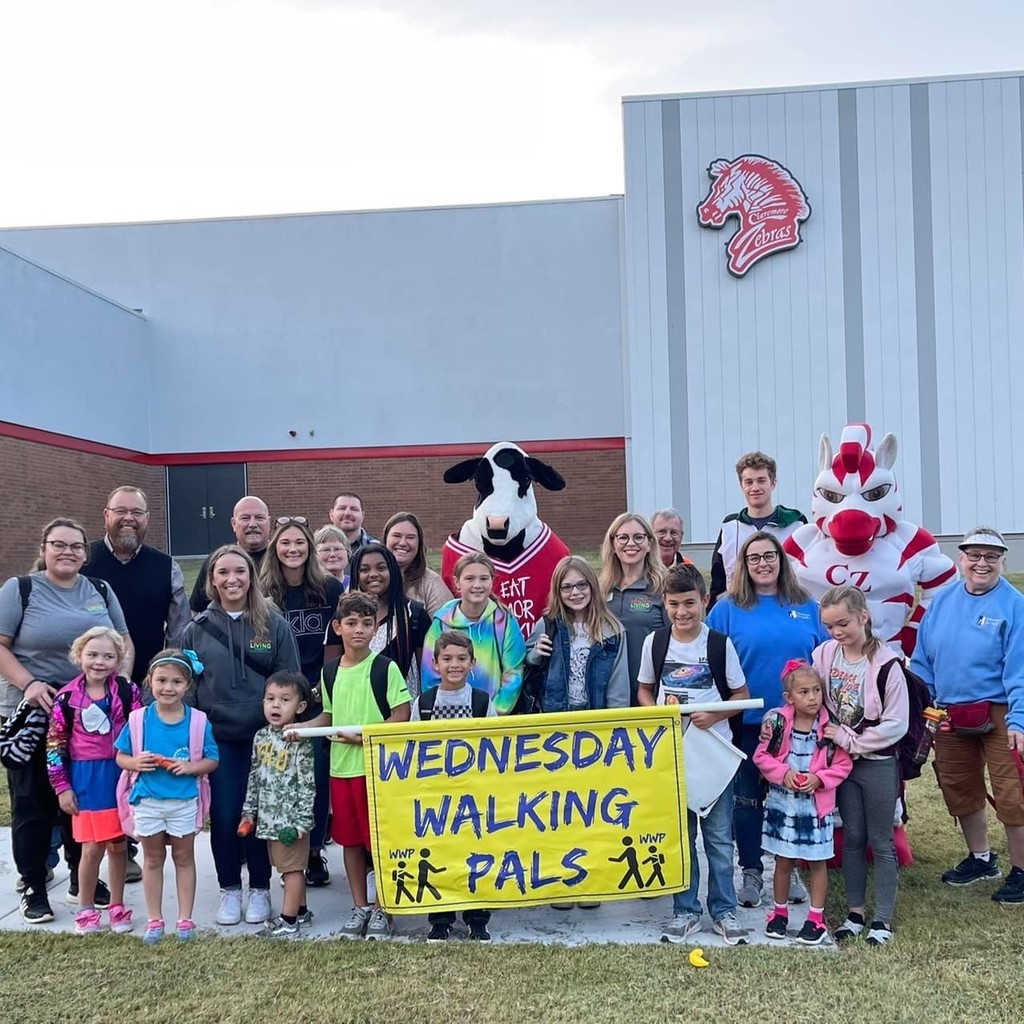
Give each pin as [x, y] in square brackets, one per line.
[631, 582]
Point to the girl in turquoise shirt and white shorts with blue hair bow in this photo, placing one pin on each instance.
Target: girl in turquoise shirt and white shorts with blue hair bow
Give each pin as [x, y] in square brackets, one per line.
[165, 798]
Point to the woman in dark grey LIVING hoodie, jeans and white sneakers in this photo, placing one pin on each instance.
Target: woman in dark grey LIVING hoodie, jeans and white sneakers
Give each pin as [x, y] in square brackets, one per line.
[241, 642]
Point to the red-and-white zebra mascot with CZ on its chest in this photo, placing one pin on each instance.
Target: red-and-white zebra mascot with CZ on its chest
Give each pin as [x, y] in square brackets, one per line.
[858, 536]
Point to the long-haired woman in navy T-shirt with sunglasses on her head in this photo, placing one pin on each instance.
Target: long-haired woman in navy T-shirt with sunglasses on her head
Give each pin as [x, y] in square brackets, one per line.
[292, 577]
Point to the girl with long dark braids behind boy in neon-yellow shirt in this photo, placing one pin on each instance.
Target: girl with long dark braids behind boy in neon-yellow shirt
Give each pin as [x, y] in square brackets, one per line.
[402, 624]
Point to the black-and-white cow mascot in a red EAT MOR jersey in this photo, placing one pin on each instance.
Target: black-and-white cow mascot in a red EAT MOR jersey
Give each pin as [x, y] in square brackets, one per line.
[506, 528]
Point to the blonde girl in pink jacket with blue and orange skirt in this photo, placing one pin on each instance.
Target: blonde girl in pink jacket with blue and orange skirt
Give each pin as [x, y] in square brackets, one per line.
[89, 714]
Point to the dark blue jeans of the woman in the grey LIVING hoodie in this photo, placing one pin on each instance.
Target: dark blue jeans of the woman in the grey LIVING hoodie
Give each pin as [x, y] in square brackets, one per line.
[228, 794]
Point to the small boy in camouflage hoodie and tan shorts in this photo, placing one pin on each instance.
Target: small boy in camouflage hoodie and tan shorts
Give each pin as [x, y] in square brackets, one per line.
[280, 797]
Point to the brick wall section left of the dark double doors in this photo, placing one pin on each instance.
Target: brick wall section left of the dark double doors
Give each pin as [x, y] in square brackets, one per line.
[40, 482]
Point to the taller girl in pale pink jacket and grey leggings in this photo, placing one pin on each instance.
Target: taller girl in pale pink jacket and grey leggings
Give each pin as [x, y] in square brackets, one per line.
[868, 728]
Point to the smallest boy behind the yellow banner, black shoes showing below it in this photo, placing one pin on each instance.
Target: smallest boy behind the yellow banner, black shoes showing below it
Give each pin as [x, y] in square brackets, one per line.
[454, 698]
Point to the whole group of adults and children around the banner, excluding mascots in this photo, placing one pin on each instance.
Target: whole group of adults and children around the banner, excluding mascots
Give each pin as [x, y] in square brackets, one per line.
[160, 706]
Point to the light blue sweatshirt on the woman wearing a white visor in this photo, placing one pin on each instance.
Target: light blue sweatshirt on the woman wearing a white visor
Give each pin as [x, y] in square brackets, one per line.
[971, 648]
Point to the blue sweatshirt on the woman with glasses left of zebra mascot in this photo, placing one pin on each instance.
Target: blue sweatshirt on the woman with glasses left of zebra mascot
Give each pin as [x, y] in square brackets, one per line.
[766, 636]
